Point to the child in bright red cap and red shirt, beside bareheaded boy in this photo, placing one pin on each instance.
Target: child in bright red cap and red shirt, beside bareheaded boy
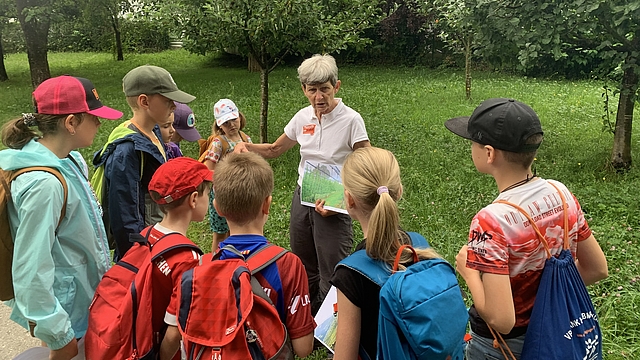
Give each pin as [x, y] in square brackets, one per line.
[181, 188]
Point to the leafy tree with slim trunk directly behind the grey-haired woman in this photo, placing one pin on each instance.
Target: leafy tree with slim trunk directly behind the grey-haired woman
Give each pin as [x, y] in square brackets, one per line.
[268, 30]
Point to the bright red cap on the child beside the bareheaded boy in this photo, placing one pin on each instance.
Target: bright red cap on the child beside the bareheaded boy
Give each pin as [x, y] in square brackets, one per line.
[179, 177]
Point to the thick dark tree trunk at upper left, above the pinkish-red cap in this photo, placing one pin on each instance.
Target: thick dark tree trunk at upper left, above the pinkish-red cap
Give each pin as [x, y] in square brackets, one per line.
[36, 32]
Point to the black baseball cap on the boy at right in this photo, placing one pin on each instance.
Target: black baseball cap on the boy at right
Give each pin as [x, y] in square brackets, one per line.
[505, 124]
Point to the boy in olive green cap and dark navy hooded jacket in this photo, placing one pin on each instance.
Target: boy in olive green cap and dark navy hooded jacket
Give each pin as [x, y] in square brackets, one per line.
[132, 154]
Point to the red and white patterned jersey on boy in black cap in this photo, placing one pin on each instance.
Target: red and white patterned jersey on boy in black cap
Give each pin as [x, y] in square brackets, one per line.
[501, 240]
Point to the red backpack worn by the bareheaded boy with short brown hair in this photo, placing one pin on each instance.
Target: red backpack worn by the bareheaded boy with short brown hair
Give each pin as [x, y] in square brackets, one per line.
[224, 313]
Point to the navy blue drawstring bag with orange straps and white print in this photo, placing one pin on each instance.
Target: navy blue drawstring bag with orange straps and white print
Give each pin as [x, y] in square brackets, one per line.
[563, 324]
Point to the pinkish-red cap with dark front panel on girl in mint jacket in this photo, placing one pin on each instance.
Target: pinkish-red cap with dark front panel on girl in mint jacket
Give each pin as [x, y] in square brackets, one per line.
[64, 95]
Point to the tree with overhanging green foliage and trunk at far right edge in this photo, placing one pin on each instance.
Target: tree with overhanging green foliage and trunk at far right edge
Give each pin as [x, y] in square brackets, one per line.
[608, 29]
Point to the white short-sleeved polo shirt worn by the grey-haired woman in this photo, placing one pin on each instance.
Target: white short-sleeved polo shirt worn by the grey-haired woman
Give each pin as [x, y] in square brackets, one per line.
[329, 142]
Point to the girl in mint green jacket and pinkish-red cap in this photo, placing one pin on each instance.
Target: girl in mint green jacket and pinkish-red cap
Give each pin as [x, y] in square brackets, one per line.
[60, 249]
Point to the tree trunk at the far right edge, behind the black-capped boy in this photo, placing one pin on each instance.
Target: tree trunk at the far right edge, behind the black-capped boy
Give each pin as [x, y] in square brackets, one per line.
[621, 154]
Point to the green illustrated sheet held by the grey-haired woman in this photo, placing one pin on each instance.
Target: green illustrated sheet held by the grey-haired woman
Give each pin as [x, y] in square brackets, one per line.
[322, 181]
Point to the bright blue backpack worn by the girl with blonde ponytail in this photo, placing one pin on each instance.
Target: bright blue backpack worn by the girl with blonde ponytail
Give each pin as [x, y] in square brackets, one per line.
[422, 313]
